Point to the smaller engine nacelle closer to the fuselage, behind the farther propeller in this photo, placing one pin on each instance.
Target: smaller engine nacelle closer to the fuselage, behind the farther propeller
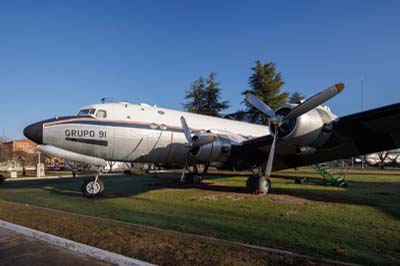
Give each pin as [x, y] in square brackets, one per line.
[216, 151]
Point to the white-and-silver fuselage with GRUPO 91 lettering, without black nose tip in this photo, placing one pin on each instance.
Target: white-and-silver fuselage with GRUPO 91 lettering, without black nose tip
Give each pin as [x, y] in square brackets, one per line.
[139, 133]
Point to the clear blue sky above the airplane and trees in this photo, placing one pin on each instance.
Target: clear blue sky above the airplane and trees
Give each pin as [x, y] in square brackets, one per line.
[56, 56]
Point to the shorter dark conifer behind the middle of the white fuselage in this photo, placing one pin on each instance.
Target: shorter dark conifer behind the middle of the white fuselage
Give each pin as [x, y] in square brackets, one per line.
[204, 97]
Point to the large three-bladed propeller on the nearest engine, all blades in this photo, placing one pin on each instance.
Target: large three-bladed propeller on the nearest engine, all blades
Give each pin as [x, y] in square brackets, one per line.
[299, 110]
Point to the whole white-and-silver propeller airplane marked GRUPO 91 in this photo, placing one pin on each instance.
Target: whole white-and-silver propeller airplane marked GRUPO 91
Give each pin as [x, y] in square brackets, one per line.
[297, 135]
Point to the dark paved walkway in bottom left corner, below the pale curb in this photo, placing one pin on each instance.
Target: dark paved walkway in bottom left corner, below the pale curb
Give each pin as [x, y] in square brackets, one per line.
[20, 250]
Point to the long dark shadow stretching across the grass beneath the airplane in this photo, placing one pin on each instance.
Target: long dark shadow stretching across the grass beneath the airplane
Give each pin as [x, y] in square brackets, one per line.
[382, 195]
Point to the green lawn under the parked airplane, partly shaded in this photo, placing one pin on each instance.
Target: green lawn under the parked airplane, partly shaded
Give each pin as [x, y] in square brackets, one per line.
[360, 223]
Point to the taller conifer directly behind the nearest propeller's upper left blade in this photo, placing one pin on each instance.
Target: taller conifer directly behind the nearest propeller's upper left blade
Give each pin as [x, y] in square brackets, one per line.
[265, 83]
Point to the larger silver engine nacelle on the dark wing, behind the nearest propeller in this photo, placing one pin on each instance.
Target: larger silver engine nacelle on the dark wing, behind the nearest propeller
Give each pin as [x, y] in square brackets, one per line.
[307, 131]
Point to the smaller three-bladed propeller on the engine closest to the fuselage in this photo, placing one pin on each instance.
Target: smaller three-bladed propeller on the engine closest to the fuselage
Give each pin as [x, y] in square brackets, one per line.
[194, 143]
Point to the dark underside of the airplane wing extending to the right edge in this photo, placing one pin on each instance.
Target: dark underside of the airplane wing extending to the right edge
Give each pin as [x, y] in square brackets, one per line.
[361, 133]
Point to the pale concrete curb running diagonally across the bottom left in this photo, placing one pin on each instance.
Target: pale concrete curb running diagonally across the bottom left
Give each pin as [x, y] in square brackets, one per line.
[74, 246]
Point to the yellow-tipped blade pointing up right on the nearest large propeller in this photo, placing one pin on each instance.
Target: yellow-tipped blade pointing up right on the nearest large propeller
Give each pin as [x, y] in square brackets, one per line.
[315, 100]
